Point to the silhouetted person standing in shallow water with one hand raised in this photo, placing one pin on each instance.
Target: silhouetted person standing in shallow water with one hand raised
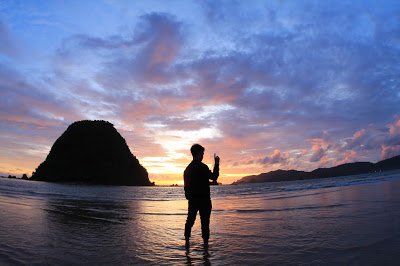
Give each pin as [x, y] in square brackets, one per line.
[197, 192]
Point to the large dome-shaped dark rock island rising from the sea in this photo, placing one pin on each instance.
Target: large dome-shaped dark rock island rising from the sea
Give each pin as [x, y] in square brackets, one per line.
[92, 152]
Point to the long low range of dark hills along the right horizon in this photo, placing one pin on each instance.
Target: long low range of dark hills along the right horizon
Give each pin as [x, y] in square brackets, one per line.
[340, 170]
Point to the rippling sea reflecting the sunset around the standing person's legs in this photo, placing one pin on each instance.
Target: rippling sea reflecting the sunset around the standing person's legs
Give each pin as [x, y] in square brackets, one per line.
[352, 220]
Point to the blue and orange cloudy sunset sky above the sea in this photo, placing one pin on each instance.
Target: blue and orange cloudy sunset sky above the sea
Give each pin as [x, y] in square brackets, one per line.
[264, 84]
